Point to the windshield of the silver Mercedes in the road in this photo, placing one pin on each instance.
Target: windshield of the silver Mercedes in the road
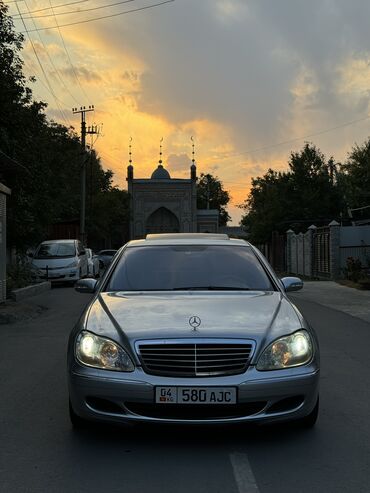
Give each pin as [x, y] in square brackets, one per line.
[183, 267]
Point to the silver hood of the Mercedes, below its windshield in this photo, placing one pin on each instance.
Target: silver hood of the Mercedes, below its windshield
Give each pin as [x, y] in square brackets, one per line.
[259, 316]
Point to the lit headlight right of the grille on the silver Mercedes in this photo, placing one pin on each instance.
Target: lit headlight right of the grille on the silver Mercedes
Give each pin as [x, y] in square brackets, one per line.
[287, 352]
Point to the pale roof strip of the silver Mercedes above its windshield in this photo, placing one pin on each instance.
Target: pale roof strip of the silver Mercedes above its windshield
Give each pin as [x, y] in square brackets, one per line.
[188, 239]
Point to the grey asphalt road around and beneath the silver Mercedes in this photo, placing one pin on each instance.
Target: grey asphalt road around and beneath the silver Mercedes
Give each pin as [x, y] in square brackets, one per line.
[40, 452]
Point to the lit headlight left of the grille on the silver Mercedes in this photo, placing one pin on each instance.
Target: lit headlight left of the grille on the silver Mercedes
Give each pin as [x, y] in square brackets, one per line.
[99, 352]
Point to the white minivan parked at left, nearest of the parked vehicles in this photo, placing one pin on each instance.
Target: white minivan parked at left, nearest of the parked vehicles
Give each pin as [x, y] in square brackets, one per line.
[60, 260]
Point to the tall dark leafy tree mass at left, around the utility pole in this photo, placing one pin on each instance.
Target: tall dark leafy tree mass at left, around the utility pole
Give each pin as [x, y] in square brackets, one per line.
[49, 190]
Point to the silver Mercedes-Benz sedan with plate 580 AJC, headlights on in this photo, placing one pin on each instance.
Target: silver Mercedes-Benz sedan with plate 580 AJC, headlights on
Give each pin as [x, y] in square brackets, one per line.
[192, 328]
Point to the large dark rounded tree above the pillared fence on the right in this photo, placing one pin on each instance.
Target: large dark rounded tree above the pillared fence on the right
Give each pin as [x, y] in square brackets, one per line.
[307, 193]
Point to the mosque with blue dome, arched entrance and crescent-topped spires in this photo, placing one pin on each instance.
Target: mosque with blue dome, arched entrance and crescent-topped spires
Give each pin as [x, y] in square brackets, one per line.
[161, 204]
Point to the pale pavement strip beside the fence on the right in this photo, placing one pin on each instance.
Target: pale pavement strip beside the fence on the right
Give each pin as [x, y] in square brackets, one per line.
[333, 295]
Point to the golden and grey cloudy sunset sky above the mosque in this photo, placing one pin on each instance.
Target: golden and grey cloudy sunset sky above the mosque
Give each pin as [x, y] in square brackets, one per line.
[250, 80]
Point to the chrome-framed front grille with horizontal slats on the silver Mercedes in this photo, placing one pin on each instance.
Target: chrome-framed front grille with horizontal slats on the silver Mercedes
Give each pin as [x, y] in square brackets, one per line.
[195, 359]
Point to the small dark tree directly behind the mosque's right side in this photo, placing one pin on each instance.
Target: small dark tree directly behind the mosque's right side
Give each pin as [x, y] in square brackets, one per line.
[210, 194]
